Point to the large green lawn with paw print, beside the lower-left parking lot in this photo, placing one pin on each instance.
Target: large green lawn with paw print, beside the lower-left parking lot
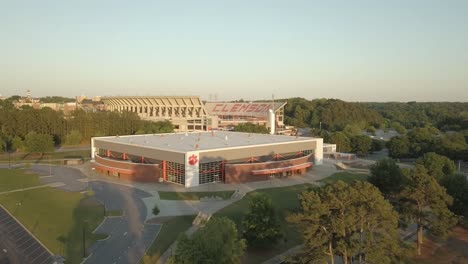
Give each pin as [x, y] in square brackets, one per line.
[57, 218]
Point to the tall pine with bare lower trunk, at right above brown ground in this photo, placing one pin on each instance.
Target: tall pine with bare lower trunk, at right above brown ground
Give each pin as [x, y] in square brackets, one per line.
[425, 203]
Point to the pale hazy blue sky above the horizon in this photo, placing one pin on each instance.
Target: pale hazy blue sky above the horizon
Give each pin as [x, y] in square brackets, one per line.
[352, 50]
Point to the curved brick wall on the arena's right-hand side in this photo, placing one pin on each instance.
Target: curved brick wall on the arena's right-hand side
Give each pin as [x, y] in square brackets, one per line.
[243, 172]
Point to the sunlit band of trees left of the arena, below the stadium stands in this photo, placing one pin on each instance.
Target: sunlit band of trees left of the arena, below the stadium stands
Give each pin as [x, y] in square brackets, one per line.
[39, 130]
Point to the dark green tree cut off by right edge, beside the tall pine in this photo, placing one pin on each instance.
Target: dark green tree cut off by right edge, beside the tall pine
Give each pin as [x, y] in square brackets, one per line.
[457, 187]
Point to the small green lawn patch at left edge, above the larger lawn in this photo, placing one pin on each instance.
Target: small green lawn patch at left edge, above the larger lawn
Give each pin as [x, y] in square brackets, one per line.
[17, 179]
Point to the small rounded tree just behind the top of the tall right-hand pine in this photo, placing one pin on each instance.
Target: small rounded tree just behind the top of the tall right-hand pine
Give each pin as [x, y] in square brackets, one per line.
[437, 165]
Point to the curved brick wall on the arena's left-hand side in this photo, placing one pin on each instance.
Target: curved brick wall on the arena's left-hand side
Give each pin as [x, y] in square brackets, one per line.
[128, 170]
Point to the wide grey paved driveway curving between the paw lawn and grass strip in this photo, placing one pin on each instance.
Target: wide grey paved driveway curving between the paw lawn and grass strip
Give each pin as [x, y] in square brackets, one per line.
[129, 236]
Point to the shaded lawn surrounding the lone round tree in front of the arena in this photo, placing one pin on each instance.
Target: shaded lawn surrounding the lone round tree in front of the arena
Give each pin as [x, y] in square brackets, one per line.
[285, 200]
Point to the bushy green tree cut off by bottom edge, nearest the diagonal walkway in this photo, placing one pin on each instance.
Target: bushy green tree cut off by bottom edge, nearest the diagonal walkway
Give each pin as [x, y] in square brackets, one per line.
[216, 242]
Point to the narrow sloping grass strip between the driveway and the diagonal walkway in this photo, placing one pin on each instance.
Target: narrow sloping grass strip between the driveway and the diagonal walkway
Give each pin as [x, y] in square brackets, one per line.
[167, 235]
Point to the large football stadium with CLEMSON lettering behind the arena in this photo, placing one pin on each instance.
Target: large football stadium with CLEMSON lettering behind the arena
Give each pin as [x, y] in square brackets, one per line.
[189, 113]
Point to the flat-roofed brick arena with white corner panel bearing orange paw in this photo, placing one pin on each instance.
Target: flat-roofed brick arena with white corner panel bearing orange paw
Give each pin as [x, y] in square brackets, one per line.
[191, 159]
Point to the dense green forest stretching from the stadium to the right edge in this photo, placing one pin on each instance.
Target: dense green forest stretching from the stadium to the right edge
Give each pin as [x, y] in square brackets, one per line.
[422, 127]
